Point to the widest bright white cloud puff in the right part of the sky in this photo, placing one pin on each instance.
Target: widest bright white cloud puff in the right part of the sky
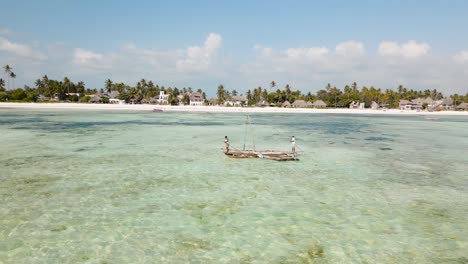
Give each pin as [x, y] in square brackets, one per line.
[410, 49]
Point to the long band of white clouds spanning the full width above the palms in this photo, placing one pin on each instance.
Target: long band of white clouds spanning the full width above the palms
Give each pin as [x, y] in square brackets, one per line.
[205, 66]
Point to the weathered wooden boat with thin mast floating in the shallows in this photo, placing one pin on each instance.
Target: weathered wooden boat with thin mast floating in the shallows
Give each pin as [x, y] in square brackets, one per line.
[262, 154]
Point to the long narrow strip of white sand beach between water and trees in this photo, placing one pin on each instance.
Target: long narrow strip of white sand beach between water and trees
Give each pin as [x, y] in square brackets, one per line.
[218, 109]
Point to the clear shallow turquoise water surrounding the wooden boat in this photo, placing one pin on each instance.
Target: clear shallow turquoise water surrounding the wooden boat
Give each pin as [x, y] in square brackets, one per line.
[139, 187]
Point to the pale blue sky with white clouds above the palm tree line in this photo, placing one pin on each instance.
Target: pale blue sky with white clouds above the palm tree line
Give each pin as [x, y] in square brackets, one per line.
[240, 44]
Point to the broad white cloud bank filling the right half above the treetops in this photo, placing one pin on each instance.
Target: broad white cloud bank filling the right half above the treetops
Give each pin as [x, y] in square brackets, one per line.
[409, 64]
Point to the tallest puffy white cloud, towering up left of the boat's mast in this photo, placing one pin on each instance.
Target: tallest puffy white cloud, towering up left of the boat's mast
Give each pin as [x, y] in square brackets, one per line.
[200, 58]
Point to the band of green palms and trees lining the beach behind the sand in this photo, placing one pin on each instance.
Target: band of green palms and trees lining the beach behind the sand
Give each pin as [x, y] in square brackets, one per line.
[66, 90]
